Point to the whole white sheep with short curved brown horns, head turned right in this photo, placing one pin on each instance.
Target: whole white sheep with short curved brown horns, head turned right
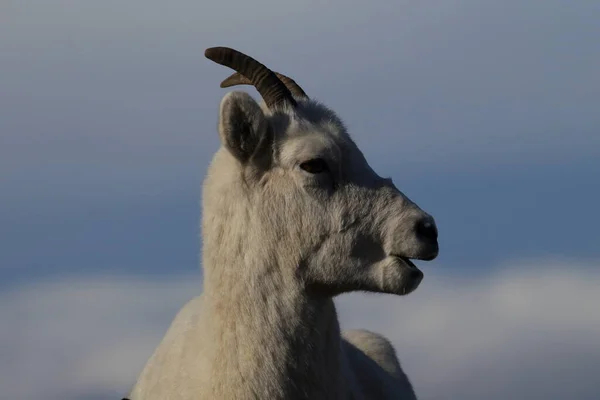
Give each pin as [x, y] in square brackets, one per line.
[293, 215]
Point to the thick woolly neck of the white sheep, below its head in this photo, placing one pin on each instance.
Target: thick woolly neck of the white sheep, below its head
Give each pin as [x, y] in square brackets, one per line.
[269, 339]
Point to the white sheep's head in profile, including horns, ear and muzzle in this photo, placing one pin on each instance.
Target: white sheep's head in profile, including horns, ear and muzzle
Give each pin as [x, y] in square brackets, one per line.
[290, 188]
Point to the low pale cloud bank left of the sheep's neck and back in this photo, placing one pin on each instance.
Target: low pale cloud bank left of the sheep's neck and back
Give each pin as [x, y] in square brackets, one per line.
[79, 337]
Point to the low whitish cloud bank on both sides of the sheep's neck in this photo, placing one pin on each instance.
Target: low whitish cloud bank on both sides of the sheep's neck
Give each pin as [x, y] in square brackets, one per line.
[529, 332]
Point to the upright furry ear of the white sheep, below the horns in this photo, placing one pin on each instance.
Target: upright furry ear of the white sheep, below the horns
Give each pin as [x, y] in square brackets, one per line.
[244, 130]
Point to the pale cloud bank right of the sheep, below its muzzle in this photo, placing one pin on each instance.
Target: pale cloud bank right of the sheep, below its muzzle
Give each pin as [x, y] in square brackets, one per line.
[530, 332]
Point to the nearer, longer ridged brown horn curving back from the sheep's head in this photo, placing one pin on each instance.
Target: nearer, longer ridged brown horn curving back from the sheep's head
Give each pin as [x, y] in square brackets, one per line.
[272, 90]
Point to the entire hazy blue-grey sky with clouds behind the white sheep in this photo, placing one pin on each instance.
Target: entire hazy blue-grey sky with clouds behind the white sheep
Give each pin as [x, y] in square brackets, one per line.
[486, 113]
